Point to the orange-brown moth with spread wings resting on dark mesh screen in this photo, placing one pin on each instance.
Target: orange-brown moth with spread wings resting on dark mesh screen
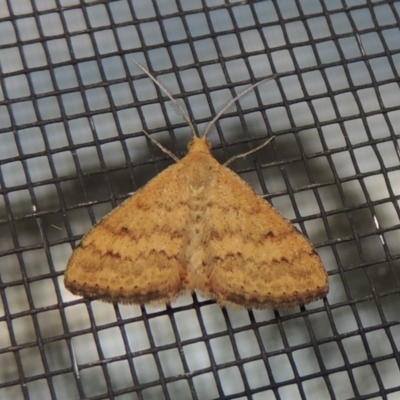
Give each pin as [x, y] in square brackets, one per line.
[197, 226]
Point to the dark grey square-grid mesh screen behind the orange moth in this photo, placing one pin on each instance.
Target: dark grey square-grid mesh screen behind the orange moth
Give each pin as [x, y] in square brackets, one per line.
[72, 112]
